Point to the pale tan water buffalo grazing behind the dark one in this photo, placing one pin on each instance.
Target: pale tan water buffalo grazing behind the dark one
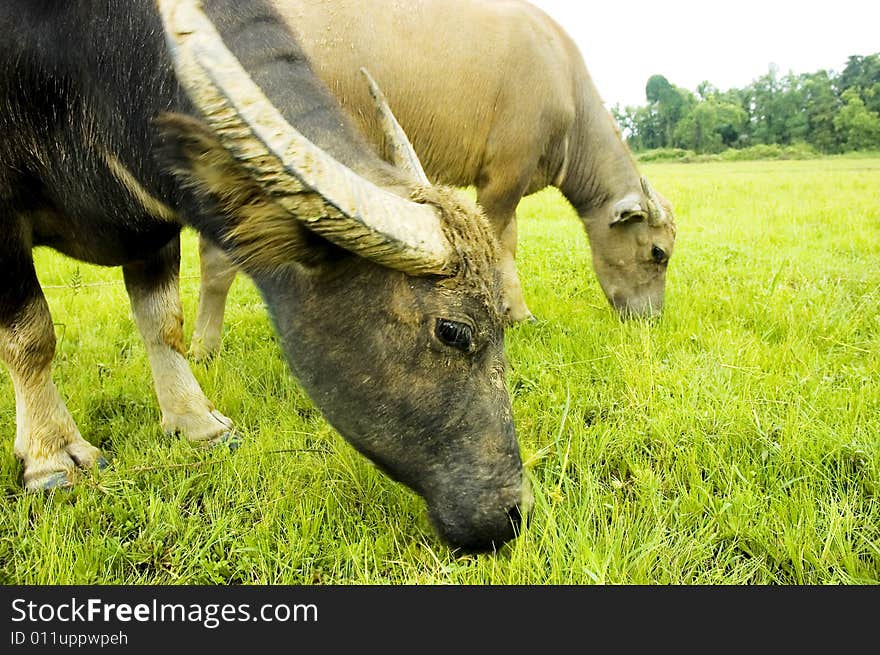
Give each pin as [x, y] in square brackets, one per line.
[492, 94]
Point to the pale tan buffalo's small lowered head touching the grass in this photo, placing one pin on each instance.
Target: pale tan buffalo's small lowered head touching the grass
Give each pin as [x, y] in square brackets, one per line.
[632, 240]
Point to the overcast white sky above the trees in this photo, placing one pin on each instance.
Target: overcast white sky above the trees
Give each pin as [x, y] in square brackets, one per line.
[728, 43]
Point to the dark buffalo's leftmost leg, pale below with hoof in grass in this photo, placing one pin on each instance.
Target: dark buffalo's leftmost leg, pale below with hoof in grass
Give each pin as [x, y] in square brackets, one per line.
[46, 437]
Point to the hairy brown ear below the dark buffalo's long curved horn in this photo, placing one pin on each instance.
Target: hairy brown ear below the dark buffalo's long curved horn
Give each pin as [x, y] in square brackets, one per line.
[233, 210]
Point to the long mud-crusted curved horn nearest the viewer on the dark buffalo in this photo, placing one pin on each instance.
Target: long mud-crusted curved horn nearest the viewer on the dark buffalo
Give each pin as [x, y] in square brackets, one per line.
[356, 214]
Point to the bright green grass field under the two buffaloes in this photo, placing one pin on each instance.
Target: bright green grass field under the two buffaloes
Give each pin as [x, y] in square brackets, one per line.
[737, 441]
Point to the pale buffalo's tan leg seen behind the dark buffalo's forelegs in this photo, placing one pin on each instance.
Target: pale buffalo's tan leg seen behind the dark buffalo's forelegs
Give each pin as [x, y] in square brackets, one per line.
[217, 275]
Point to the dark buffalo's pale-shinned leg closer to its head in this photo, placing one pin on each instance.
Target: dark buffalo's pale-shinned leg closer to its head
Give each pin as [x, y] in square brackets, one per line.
[152, 286]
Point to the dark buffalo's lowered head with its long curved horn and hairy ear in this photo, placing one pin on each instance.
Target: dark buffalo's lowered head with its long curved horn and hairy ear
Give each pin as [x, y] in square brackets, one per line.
[386, 303]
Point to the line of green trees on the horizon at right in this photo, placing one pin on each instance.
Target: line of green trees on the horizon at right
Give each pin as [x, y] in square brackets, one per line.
[832, 112]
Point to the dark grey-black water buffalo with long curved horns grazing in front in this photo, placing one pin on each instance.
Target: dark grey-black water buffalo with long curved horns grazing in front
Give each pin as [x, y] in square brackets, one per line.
[123, 121]
